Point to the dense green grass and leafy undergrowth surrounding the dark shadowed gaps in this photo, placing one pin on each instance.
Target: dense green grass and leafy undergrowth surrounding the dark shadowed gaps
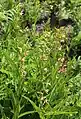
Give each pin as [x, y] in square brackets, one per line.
[37, 81]
